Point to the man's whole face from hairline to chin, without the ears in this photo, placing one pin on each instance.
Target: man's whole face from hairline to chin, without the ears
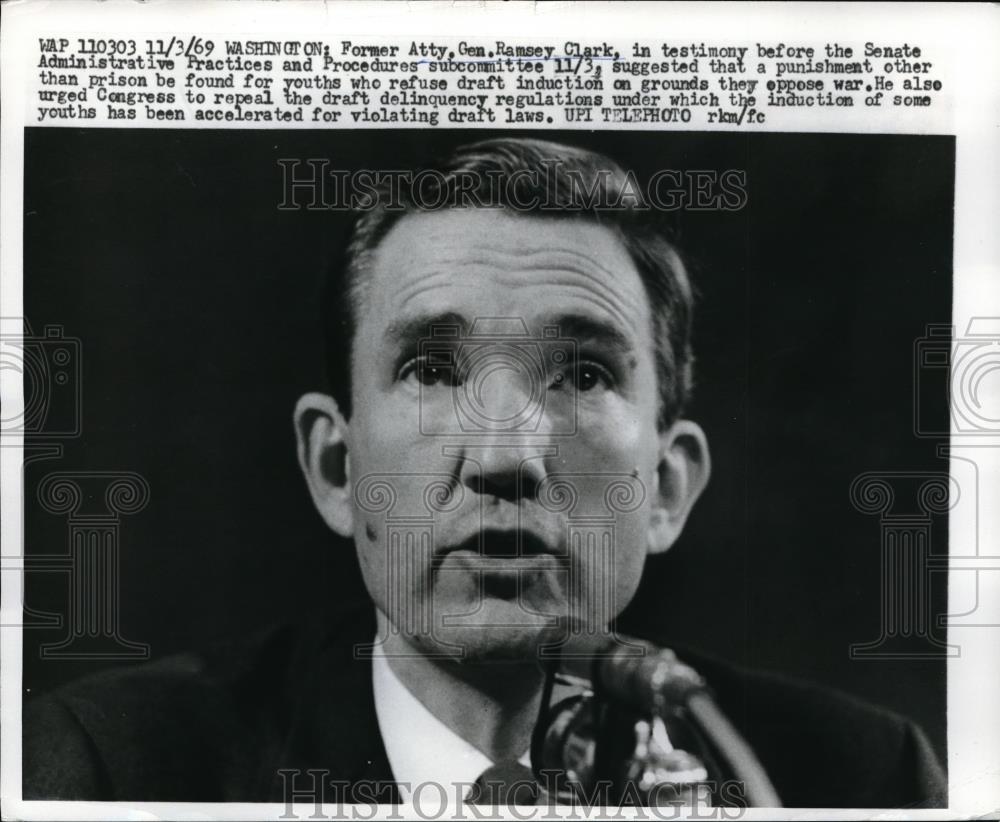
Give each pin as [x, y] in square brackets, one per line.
[461, 454]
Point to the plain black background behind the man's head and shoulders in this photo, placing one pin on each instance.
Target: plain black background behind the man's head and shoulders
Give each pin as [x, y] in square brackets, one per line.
[195, 301]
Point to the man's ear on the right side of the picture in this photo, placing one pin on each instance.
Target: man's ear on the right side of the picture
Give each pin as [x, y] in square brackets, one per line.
[682, 473]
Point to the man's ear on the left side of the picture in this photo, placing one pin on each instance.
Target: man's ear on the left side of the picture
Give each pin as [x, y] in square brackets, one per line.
[321, 432]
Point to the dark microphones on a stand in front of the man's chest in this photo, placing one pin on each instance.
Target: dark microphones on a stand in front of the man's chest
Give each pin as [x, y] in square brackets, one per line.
[615, 728]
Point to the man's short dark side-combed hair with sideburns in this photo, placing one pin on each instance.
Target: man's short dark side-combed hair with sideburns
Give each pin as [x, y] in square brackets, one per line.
[531, 179]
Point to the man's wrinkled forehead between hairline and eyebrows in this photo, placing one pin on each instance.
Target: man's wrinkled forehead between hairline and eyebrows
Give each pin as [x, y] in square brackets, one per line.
[490, 263]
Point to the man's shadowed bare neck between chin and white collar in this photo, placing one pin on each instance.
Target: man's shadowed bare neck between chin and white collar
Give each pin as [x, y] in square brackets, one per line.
[492, 706]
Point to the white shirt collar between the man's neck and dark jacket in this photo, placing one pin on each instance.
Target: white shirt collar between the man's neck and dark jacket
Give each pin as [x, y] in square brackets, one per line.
[419, 746]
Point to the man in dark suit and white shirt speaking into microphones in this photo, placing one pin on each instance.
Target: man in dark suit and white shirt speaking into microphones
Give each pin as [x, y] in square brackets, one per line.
[509, 353]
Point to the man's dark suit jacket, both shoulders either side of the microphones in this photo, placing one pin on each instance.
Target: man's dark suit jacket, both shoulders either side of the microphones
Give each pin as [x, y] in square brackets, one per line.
[220, 726]
